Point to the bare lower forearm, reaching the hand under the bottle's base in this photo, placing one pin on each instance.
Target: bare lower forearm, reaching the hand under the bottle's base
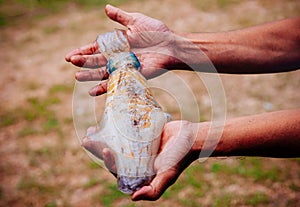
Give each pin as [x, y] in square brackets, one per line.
[275, 134]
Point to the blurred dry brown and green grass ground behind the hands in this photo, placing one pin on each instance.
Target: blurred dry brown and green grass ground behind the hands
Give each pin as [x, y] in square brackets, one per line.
[41, 161]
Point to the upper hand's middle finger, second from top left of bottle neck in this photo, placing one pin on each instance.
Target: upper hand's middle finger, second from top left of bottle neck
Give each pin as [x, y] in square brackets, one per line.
[88, 61]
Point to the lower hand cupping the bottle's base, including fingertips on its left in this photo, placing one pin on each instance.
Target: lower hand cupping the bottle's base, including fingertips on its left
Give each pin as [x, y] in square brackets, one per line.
[175, 154]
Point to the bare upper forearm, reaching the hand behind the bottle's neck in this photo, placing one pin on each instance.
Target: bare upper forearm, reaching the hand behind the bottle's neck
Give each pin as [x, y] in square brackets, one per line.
[267, 48]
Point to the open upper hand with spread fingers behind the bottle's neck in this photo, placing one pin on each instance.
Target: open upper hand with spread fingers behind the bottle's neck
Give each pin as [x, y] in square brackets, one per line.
[150, 40]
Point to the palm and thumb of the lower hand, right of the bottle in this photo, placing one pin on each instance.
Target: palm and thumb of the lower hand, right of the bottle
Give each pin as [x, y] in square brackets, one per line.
[175, 155]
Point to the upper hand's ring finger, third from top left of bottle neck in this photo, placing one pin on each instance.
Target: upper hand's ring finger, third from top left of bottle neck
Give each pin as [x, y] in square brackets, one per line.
[91, 75]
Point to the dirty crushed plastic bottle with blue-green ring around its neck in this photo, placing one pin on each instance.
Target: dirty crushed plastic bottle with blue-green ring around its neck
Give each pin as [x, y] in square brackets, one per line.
[132, 121]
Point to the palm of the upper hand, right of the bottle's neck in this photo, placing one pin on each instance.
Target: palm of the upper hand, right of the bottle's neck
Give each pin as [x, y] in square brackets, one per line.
[148, 38]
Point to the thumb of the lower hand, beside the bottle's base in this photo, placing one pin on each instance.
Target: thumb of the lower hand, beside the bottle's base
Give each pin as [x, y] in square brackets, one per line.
[157, 187]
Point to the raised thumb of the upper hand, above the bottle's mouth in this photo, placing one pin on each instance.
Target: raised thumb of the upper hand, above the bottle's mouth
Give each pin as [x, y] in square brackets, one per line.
[118, 15]
